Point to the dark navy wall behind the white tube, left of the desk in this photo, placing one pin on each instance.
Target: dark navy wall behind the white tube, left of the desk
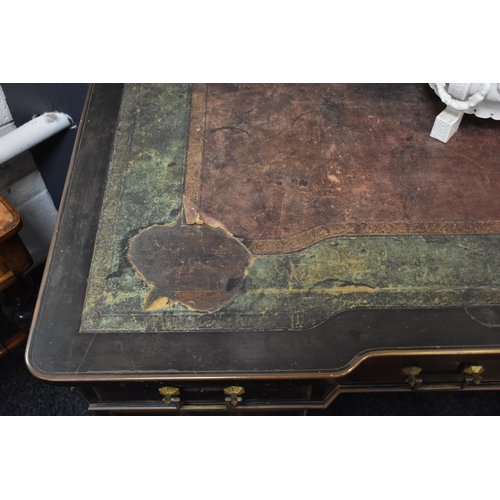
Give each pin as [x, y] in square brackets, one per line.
[52, 156]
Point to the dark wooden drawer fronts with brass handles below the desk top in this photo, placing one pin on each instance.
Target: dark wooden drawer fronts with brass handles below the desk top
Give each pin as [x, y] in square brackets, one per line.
[391, 372]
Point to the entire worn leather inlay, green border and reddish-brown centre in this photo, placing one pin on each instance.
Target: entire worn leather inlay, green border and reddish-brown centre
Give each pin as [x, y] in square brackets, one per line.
[287, 205]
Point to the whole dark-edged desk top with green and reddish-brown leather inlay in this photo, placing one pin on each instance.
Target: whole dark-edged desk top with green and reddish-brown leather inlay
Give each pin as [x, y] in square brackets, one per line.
[285, 229]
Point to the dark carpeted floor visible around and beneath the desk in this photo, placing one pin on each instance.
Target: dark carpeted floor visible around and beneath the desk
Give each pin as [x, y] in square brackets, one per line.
[23, 394]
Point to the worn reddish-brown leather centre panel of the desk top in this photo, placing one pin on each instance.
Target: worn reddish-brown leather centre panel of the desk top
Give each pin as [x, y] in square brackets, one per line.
[280, 161]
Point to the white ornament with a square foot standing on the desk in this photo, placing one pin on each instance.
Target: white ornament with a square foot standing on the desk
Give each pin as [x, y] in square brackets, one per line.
[480, 99]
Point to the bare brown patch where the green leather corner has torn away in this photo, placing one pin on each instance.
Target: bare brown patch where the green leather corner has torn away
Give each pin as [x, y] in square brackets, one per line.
[199, 266]
